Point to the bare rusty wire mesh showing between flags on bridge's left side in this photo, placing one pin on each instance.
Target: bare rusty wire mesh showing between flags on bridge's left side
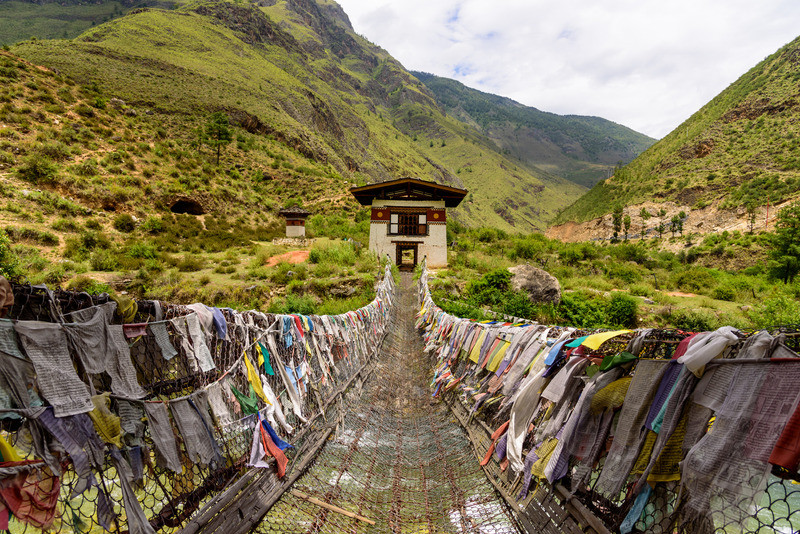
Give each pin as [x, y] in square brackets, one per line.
[168, 499]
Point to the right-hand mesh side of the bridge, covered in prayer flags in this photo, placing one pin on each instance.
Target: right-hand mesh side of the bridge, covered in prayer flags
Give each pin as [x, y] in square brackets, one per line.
[628, 434]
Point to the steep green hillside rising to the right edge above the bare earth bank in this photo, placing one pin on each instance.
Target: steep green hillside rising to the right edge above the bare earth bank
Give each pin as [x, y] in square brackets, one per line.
[741, 149]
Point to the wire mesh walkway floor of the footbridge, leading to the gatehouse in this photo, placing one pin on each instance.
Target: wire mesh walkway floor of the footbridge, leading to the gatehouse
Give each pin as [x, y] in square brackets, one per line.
[399, 462]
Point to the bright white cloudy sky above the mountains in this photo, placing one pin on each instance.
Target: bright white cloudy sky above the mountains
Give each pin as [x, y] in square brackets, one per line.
[643, 63]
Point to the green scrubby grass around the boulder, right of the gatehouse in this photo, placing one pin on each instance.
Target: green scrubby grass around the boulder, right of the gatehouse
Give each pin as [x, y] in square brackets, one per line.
[593, 275]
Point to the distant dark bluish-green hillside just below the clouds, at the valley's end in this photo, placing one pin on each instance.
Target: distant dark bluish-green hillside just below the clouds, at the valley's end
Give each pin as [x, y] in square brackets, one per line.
[581, 149]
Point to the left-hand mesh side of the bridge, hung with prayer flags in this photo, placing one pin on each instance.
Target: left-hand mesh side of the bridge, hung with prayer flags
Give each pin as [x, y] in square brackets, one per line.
[106, 470]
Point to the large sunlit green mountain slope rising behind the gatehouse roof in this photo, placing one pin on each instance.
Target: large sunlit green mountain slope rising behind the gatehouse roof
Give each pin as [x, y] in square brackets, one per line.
[296, 71]
